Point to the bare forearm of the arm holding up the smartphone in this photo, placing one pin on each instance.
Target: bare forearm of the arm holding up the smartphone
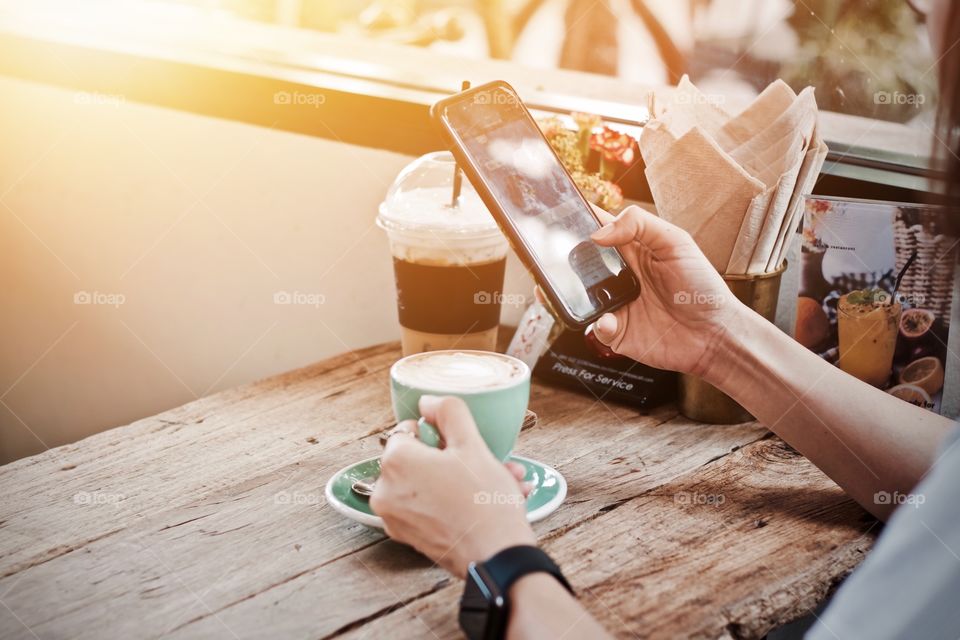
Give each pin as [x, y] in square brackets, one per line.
[864, 439]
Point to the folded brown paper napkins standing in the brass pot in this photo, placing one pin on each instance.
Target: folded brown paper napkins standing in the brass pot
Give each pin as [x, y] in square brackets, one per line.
[734, 183]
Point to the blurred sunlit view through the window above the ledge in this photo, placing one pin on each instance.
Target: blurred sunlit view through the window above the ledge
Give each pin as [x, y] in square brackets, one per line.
[867, 58]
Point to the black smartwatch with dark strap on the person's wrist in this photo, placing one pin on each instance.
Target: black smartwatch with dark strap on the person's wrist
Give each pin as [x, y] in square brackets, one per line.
[485, 605]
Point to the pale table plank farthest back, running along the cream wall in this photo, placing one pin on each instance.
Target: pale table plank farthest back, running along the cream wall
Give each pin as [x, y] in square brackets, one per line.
[178, 456]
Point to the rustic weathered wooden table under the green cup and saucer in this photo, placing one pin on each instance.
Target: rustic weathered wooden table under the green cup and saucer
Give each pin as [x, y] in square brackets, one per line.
[209, 521]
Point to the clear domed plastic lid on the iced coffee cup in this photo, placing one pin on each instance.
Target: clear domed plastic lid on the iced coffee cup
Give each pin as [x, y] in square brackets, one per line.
[420, 200]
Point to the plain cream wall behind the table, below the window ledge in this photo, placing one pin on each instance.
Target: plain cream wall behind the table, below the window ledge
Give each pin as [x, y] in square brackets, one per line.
[196, 222]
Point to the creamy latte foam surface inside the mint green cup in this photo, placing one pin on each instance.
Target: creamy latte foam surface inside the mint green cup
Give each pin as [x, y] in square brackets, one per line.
[458, 372]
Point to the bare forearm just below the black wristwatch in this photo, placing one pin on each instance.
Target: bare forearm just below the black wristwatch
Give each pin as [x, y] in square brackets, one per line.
[542, 608]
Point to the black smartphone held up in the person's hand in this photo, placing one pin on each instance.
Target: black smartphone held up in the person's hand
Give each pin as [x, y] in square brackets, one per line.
[547, 220]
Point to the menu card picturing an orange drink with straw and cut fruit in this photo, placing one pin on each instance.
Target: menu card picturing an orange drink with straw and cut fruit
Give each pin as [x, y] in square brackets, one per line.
[848, 311]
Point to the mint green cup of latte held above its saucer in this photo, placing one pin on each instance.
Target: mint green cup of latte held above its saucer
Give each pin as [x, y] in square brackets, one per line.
[495, 387]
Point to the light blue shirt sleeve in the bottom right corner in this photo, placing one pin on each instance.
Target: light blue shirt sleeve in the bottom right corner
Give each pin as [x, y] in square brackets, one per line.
[909, 585]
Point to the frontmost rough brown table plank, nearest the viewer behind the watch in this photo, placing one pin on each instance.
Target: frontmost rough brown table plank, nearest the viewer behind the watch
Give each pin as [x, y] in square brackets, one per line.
[734, 548]
